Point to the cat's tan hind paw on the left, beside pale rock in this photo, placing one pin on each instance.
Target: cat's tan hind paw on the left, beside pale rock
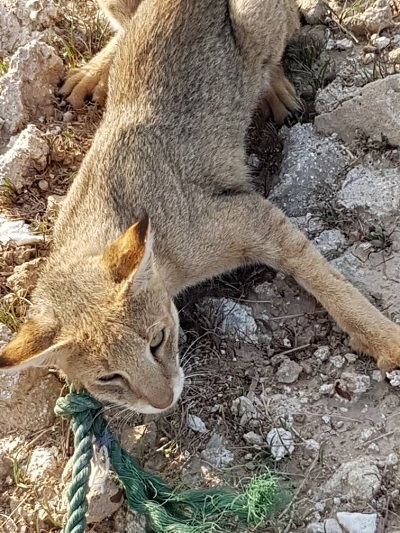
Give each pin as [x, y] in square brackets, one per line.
[86, 82]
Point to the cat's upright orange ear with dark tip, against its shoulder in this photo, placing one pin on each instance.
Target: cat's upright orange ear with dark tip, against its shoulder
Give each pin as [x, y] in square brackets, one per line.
[129, 259]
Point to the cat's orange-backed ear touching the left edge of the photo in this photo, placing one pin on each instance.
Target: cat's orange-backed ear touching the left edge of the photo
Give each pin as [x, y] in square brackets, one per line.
[34, 345]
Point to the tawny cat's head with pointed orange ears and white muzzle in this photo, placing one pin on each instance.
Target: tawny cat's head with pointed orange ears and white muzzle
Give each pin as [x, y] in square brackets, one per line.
[109, 323]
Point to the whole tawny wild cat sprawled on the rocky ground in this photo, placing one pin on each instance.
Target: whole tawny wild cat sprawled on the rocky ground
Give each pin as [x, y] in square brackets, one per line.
[163, 200]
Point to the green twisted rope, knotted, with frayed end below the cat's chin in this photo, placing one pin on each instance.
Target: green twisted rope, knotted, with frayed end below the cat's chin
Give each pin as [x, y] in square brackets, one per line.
[192, 511]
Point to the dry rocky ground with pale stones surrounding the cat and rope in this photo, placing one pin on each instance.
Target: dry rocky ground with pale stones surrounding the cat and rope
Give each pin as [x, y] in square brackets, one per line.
[265, 363]
